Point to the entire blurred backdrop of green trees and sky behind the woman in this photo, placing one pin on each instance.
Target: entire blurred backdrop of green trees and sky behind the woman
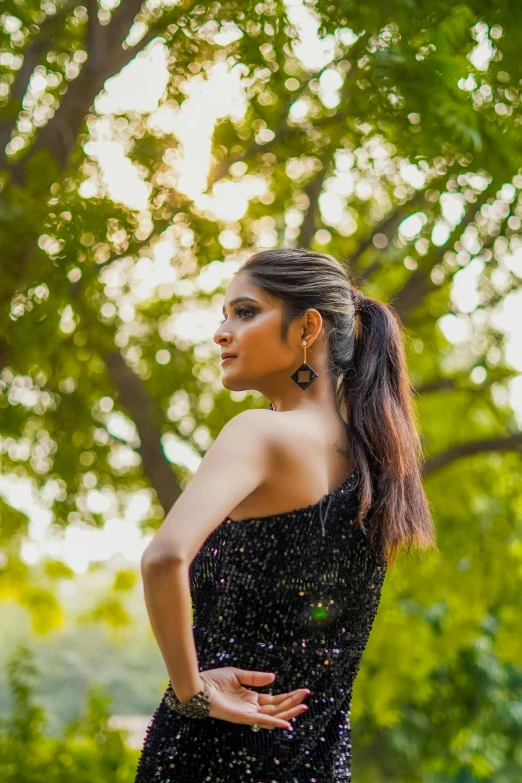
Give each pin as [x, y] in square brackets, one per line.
[145, 150]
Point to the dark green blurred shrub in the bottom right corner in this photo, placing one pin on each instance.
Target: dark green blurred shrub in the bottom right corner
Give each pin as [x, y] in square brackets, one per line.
[468, 729]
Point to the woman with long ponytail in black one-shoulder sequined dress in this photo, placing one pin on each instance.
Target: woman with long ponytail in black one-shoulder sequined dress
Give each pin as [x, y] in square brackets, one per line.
[282, 539]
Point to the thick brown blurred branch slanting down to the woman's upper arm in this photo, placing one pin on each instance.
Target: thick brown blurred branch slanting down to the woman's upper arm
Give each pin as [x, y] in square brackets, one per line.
[147, 419]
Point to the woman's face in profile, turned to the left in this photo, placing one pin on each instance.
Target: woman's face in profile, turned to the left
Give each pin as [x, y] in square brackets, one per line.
[251, 331]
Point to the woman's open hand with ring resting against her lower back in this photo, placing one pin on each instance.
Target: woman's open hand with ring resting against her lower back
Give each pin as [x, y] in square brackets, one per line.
[232, 701]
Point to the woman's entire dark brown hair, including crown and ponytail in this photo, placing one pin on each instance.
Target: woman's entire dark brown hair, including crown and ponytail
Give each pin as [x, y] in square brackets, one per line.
[366, 358]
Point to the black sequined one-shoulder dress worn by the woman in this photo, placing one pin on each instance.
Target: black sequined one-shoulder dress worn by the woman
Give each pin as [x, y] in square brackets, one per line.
[293, 593]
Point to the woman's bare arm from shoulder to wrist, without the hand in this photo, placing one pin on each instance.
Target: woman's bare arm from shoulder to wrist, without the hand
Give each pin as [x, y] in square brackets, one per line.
[237, 462]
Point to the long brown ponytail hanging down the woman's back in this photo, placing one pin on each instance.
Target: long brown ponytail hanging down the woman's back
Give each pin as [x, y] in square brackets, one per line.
[382, 431]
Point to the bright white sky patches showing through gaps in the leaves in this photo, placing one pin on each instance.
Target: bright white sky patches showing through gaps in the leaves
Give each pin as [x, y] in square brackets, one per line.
[140, 87]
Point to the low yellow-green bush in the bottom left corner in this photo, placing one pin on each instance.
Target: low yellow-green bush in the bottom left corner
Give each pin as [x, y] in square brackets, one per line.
[90, 750]
